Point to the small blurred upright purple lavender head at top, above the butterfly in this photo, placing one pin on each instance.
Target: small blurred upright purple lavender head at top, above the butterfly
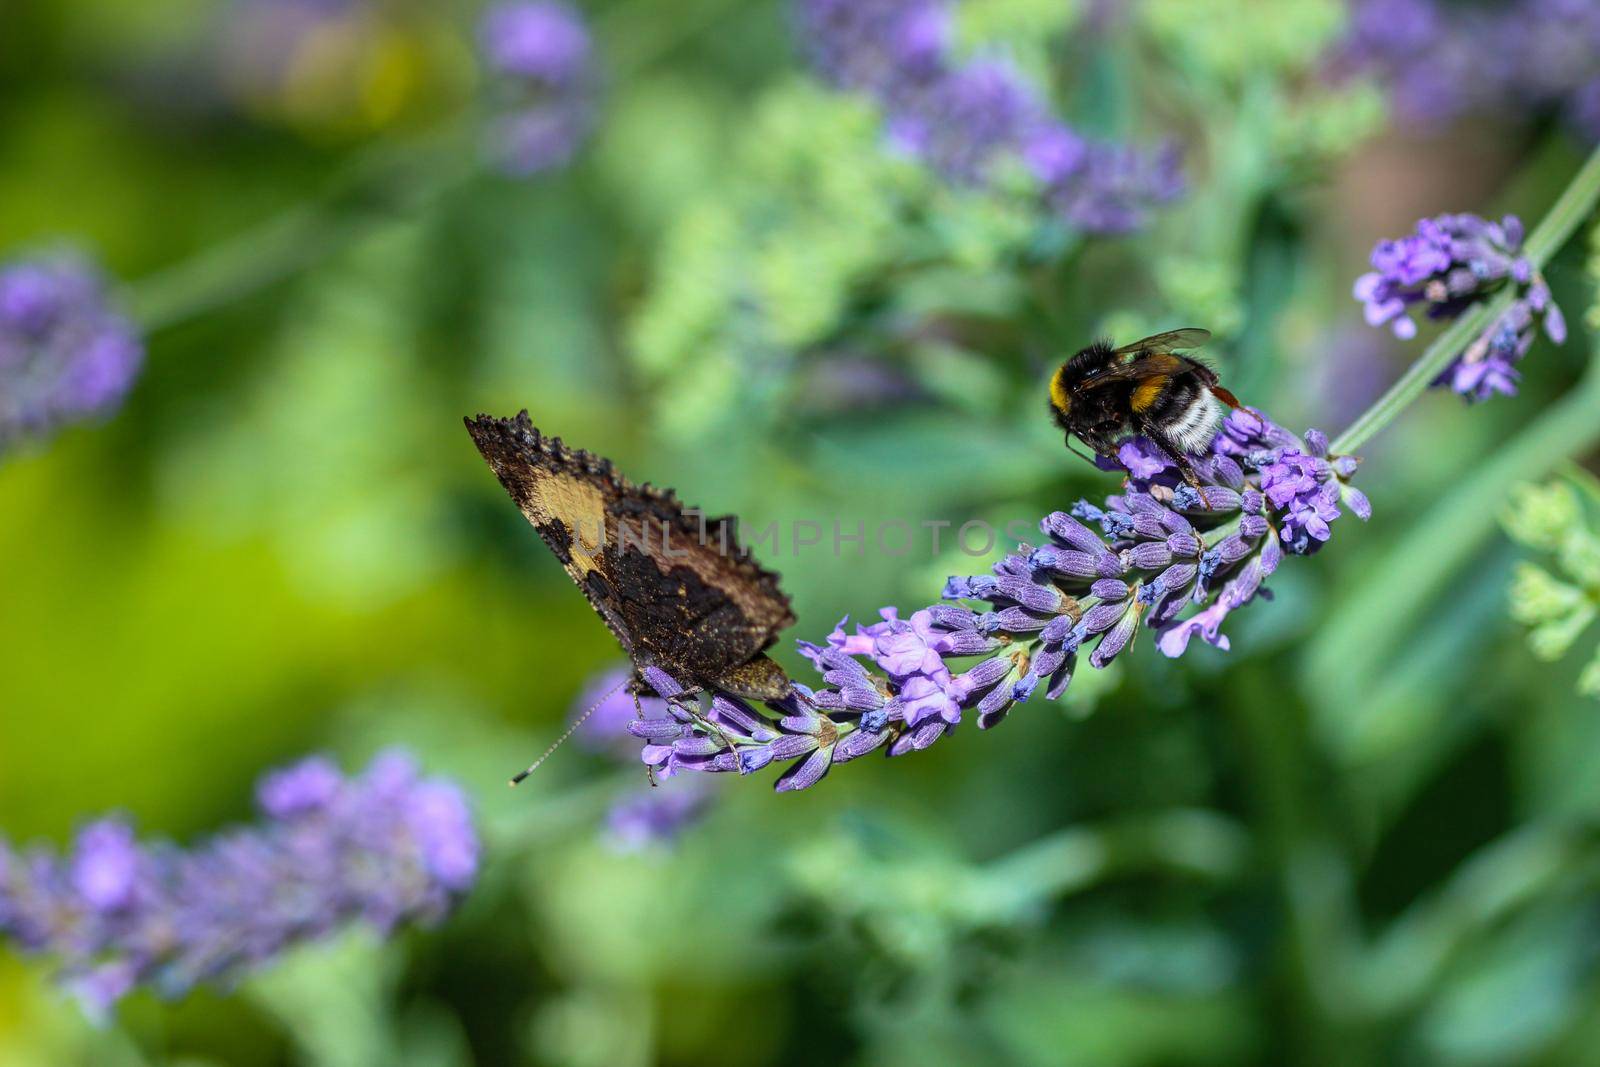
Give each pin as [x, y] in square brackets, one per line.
[542, 57]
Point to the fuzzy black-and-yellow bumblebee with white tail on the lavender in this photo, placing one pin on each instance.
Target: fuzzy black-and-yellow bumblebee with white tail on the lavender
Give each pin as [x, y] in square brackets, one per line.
[1148, 388]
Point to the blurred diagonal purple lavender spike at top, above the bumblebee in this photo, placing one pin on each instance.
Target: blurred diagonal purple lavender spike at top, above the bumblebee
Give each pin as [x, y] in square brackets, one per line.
[966, 118]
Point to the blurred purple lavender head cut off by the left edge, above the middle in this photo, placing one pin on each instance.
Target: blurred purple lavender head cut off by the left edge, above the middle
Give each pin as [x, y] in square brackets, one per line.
[66, 356]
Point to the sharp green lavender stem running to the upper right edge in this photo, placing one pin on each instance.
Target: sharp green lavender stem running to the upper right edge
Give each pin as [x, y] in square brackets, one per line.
[1546, 239]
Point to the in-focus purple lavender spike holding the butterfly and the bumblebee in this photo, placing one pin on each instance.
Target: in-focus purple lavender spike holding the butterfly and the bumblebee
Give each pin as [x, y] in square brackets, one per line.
[1161, 554]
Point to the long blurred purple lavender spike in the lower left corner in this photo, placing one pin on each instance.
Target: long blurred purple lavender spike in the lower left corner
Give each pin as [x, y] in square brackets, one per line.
[386, 849]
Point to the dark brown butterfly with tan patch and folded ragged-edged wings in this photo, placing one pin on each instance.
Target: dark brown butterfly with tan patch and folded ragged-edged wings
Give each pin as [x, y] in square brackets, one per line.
[674, 588]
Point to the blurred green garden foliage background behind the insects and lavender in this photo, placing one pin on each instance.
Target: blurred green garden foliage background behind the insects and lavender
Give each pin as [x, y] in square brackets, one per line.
[1362, 836]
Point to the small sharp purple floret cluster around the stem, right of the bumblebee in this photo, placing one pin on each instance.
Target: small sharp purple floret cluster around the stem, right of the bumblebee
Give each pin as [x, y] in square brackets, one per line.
[1454, 263]
